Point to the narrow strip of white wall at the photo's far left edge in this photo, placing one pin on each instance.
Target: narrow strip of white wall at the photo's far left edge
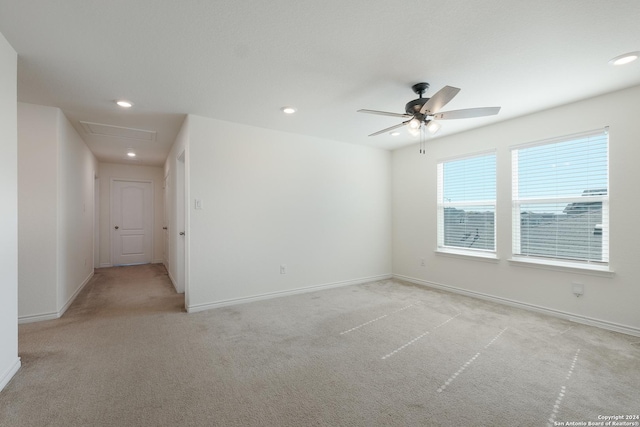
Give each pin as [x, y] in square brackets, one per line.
[9, 360]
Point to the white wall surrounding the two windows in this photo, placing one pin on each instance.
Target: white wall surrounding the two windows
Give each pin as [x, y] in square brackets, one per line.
[610, 302]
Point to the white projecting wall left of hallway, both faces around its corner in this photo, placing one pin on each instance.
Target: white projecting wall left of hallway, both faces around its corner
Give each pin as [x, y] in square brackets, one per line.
[56, 212]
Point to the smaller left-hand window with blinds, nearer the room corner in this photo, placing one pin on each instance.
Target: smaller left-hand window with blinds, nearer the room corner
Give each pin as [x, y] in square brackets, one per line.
[467, 205]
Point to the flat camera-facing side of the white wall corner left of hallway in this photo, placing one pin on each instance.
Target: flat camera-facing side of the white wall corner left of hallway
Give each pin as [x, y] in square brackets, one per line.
[38, 209]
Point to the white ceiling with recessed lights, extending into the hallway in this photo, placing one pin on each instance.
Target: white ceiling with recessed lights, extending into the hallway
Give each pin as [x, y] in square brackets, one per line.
[242, 61]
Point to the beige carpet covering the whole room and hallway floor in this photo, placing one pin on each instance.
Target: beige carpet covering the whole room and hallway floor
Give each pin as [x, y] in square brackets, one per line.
[379, 354]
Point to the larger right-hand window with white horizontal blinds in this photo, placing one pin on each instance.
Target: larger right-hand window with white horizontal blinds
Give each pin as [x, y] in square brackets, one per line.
[560, 194]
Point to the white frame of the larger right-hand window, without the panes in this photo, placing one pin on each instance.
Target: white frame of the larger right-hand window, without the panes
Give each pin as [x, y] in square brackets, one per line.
[517, 202]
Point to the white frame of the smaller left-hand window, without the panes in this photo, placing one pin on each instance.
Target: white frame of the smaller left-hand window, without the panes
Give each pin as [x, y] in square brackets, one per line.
[442, 204]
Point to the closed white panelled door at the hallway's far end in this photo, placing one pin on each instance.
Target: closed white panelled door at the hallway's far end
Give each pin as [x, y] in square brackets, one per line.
[131, 222]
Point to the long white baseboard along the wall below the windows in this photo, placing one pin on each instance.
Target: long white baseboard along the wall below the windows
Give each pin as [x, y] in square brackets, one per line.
[585, 320]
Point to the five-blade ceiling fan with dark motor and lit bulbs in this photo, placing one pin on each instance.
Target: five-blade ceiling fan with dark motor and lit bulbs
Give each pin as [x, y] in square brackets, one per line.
[422, 112]
